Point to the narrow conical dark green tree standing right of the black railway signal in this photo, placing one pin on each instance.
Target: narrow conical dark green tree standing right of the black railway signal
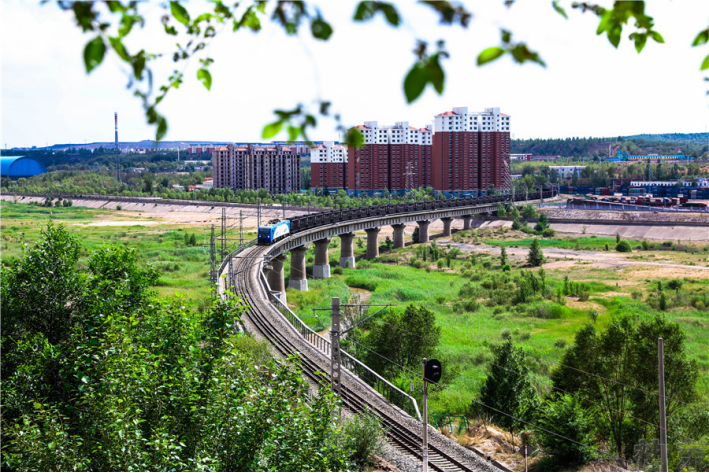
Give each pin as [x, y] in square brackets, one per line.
[507, 387]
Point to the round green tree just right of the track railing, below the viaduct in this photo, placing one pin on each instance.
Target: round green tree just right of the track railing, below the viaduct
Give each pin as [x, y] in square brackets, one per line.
[405, 338]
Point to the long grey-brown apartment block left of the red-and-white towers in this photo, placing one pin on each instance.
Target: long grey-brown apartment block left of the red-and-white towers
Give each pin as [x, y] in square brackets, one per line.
[254, 167]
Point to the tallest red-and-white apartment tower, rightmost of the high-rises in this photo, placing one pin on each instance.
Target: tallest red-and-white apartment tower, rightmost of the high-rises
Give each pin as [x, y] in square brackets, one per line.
[471, 151]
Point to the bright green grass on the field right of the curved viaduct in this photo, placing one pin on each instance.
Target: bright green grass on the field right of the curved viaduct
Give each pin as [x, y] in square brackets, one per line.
[468, 336]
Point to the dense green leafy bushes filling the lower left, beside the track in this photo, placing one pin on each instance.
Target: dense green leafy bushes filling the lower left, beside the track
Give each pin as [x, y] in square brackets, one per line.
[101, 374]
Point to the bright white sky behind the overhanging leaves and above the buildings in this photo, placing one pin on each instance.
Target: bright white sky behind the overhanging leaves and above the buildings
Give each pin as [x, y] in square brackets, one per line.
[588, 88]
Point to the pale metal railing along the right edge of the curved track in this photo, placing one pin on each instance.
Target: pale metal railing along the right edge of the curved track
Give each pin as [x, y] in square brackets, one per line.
[390, 392]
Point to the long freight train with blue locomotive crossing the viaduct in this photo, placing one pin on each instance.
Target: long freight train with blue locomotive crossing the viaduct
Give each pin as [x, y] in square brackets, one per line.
[276, 230]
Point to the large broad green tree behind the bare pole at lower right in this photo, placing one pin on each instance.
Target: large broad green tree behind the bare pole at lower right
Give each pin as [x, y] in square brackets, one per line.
[622, 358]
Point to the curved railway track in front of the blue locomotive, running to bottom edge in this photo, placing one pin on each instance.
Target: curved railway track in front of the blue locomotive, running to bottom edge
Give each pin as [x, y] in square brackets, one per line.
[263, 318]
